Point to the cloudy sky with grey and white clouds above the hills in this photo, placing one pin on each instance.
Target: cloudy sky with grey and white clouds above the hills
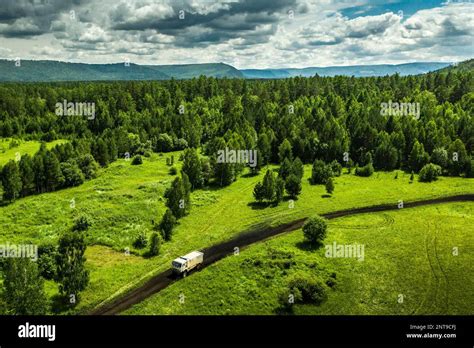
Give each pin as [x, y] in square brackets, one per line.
[243, 33]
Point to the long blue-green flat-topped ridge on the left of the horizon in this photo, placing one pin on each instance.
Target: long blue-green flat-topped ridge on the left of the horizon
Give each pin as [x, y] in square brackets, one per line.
[46, 71]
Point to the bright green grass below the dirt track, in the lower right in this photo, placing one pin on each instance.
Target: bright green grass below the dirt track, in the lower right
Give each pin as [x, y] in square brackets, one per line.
[406, 252]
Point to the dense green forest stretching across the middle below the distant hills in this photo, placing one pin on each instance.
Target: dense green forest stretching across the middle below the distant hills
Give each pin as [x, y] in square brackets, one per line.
[318, 119]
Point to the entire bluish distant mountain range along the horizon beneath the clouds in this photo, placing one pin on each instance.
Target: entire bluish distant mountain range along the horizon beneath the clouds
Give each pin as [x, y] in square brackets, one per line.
[45, 70]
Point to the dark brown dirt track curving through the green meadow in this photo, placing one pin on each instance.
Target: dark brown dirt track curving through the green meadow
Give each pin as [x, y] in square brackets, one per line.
[219, 251]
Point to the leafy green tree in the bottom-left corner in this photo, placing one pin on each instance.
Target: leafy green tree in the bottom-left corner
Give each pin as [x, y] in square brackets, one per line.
[23, 288]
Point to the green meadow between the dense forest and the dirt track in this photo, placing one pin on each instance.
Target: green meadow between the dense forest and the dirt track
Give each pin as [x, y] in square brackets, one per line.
[125, 199]
